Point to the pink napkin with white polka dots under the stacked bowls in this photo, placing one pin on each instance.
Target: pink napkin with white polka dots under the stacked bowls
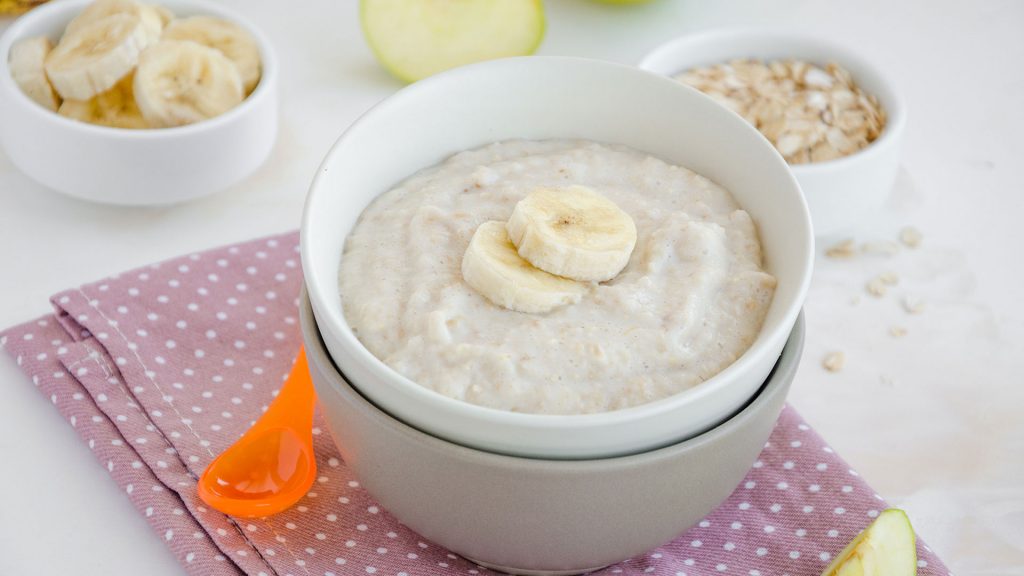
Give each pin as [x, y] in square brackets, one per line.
[161, 368]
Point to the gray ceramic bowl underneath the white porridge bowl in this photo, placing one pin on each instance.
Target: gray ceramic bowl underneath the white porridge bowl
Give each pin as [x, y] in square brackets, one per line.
[530, 516]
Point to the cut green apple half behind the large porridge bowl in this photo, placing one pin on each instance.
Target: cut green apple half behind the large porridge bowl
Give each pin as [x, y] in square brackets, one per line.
[416, 38]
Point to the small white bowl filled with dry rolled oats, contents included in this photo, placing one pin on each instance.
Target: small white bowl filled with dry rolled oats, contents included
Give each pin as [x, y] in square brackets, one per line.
[831, 114]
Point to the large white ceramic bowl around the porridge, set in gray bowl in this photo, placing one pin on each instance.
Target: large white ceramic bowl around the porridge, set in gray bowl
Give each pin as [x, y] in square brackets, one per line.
[554, 98]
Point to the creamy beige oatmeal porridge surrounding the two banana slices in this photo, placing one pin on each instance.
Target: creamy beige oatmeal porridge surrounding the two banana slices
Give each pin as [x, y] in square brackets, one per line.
[690, 303]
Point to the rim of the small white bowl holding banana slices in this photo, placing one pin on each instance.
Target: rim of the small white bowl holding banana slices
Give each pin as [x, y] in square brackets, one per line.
[264, 90]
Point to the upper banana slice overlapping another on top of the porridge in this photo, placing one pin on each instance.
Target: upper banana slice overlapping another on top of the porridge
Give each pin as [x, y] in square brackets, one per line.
[573, 232]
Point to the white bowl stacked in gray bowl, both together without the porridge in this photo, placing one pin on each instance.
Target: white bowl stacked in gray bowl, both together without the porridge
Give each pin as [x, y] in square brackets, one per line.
[542, 493]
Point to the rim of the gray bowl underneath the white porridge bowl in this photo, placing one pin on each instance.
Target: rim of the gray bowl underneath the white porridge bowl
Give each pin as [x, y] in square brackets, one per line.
[778, 382]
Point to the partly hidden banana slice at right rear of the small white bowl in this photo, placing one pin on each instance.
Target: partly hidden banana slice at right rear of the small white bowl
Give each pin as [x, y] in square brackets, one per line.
[230, 38]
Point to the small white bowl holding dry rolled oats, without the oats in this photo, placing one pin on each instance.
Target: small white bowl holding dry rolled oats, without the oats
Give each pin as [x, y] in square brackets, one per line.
[841, 193]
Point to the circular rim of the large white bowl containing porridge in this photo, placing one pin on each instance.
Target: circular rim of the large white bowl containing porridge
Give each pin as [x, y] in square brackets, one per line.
[550, 423]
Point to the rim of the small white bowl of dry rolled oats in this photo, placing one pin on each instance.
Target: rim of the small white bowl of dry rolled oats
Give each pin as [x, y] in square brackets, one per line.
[893, 100]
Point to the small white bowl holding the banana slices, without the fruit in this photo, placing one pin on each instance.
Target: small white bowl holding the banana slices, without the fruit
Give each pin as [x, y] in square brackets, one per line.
[135, 168]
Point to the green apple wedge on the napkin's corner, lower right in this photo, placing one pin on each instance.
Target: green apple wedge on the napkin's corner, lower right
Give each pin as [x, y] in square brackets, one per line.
[885, 549]
